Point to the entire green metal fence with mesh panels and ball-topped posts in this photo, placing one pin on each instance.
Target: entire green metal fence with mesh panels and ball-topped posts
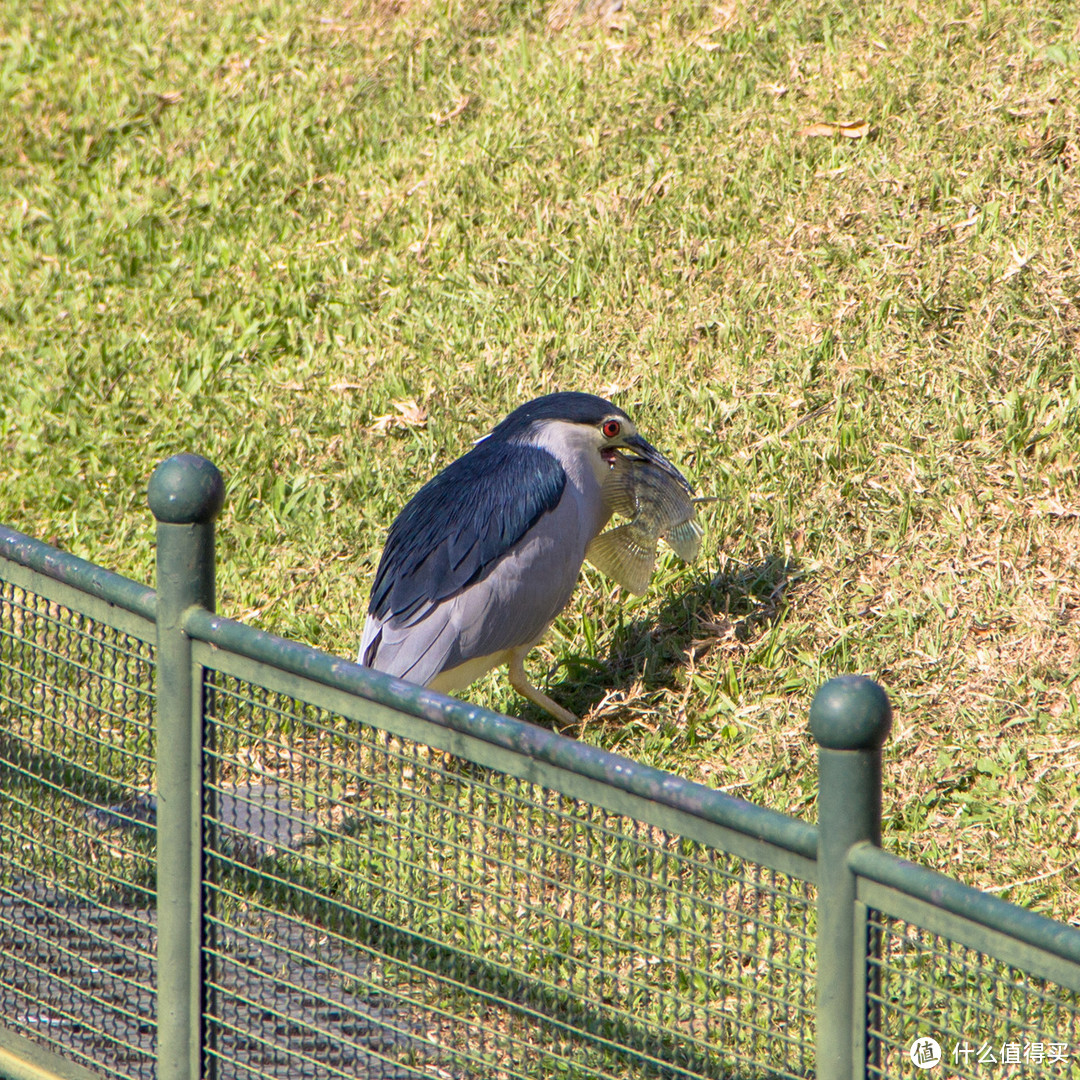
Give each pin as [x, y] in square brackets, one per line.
[225, 855]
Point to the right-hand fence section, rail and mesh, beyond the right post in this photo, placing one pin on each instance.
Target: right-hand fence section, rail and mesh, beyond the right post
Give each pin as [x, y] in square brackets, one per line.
[995, 987]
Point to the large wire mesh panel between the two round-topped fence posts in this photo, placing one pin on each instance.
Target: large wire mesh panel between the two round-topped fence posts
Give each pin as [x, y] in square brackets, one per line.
[379, 909]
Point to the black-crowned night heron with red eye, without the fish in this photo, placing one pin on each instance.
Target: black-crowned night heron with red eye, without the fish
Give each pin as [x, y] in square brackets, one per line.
[485, 557]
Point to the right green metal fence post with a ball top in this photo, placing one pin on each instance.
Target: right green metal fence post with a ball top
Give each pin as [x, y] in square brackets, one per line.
[849, 720]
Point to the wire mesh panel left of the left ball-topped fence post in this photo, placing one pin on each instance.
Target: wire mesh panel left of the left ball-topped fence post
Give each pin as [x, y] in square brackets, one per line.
[77, 838]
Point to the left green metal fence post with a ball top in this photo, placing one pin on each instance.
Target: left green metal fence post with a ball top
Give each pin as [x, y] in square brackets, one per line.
[186, 494]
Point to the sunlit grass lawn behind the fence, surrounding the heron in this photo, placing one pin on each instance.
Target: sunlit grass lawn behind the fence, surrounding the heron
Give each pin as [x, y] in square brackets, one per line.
[250, 229]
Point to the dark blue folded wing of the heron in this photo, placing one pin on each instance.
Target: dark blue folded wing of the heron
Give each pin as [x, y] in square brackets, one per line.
[455, 530]
